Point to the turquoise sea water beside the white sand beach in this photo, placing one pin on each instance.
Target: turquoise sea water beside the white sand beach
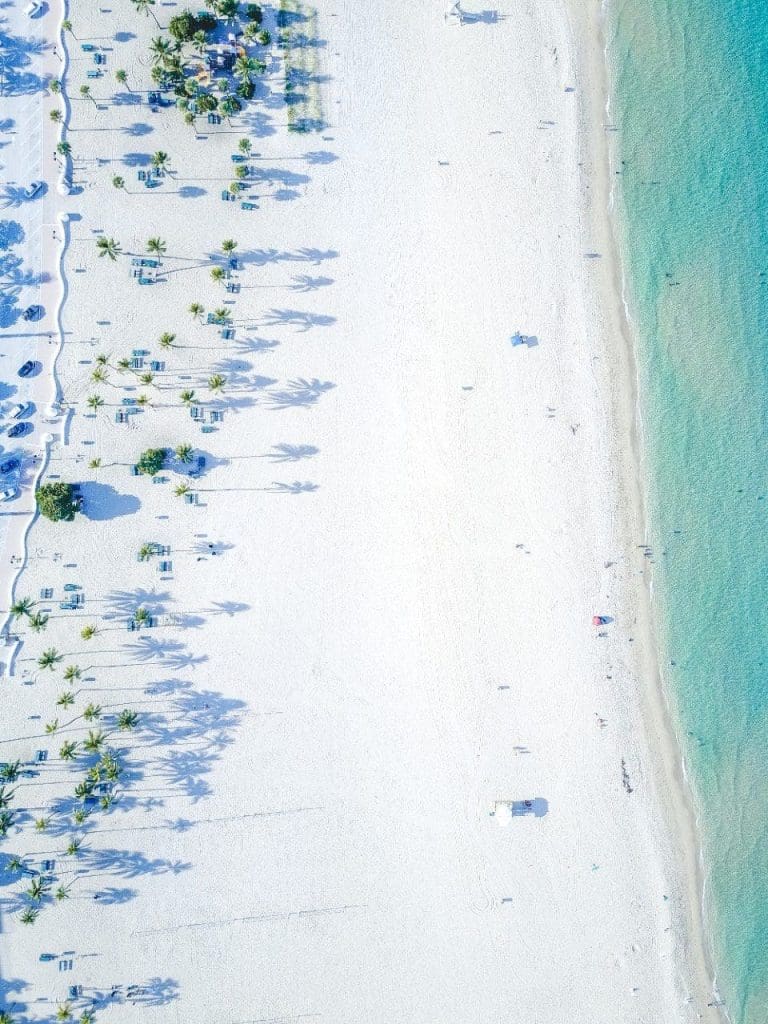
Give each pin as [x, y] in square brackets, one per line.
[690, 97]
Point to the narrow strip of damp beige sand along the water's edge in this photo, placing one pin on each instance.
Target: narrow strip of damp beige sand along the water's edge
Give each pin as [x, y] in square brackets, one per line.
[670, 779]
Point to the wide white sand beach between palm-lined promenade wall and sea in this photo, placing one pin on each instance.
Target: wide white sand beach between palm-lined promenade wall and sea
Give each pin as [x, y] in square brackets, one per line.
[373, 636]
